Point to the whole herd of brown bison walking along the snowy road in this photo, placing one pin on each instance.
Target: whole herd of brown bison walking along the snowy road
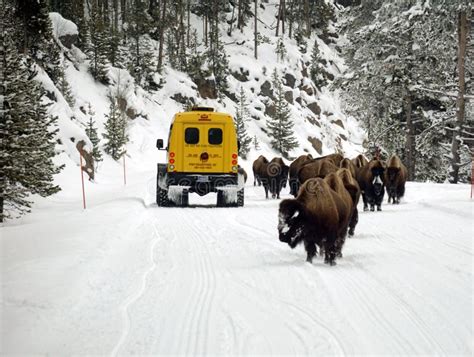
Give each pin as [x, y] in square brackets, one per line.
[327, 191]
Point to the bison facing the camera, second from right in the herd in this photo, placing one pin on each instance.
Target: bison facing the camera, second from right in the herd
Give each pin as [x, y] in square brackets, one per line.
[371, 181]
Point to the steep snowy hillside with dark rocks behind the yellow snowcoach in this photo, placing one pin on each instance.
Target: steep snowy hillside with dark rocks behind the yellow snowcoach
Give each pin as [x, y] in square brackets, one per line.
[320, 127]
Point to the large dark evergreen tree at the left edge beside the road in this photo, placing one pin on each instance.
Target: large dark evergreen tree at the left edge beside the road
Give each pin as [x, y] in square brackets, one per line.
[27, 141]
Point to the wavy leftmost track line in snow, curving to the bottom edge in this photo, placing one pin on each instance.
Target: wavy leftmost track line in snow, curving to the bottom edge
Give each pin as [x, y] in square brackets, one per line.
[134, 297]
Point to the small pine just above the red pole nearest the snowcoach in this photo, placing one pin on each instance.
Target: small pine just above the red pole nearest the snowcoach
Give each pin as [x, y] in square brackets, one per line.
[115, 131]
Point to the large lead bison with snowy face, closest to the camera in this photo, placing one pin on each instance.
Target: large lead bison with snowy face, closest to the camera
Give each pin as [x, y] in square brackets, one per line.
[314, 218]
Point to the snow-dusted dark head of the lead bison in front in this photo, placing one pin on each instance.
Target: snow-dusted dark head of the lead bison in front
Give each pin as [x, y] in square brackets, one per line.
[290, 222]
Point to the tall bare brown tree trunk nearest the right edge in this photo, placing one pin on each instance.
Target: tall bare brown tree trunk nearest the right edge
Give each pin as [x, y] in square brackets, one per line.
[461, 103]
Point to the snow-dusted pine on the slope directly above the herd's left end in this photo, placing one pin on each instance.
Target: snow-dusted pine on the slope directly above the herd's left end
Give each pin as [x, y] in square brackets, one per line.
[280, 125]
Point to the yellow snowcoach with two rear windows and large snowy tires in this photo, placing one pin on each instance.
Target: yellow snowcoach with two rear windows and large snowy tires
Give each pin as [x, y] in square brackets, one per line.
[202, 157]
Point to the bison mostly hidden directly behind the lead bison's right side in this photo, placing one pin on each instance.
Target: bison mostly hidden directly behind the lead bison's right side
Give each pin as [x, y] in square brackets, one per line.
[345, 209]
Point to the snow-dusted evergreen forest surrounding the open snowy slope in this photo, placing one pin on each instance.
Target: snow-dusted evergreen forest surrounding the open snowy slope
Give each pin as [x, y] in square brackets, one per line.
[407, 76]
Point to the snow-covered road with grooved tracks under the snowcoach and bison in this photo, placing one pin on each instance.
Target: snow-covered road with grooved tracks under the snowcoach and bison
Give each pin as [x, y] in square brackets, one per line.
[126, 277]
